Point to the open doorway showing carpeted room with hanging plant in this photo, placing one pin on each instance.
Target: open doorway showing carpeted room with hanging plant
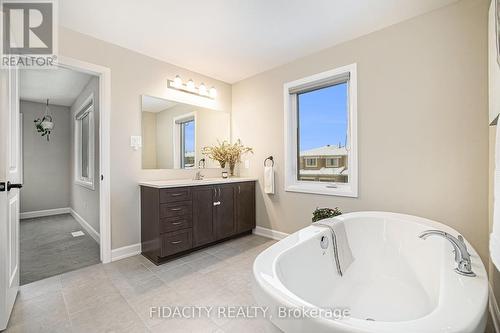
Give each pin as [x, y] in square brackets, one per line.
[59, 202]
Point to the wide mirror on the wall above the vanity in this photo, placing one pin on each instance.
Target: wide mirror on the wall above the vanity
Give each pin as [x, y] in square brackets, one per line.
[174, 133]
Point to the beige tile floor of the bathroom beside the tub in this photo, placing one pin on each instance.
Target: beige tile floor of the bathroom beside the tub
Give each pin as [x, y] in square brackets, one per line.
[117, 297]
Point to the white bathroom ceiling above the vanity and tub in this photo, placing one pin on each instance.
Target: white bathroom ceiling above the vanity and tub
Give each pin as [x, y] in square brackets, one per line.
[232, 40]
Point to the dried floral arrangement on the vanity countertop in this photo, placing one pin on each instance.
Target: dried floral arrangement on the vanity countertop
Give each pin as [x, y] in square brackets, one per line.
[226, 153]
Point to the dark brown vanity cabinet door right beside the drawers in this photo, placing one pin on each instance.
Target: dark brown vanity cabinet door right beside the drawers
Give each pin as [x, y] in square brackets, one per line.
[203, 226]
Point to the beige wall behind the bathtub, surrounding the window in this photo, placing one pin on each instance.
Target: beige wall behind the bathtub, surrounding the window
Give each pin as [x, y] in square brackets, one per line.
[422, 119]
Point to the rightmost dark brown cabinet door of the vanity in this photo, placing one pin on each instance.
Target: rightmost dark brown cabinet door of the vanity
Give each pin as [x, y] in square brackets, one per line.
[245, 206]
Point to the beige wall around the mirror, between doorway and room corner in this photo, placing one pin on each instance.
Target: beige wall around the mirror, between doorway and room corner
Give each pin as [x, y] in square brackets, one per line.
[132, 75]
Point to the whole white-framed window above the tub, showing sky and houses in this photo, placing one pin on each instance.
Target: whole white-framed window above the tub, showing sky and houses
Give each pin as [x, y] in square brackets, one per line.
[320, 113]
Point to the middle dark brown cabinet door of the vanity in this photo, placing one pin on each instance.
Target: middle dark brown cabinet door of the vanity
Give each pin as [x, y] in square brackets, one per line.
[224, 211]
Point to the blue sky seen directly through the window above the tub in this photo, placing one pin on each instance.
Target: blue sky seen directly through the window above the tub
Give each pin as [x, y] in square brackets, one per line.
[323, 117]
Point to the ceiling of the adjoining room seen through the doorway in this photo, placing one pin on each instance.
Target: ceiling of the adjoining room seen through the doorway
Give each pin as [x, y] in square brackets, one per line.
[61, 86]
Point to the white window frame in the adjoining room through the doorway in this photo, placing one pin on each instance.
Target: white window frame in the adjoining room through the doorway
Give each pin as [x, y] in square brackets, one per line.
[87, 107]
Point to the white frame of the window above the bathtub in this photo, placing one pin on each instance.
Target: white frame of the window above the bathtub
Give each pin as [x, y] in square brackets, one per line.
[292, 184]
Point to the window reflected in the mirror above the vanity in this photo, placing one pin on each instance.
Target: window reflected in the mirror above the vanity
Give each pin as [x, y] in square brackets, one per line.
[184, 141]
